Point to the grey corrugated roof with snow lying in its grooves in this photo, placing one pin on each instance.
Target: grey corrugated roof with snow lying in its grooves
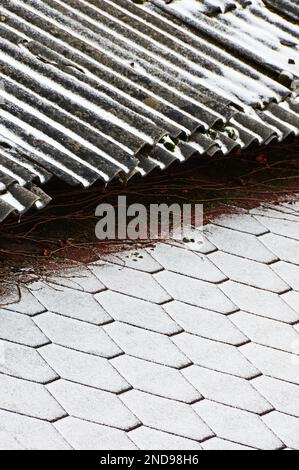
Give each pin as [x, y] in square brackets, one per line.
[89, 89]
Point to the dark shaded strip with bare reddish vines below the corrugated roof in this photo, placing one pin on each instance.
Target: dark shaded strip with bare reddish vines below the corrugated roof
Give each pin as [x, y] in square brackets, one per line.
[64, 232]
